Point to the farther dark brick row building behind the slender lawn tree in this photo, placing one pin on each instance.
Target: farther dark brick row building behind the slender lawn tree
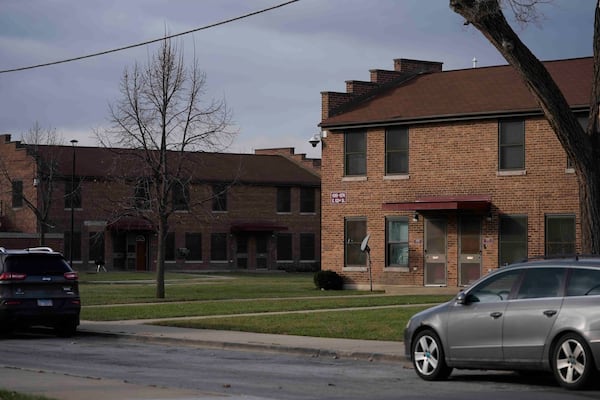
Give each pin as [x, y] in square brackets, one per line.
[231, 211]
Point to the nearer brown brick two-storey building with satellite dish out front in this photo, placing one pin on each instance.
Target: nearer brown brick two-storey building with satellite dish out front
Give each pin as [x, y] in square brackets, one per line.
[450, 173]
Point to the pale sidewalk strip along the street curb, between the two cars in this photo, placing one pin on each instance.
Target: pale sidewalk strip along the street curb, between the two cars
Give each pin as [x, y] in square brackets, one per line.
[317, 347]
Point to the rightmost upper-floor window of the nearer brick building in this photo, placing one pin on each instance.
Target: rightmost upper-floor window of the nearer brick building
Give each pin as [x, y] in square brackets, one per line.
[511, 145]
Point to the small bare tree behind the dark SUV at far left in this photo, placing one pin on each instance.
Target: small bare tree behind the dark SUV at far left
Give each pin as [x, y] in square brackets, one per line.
[46, 175]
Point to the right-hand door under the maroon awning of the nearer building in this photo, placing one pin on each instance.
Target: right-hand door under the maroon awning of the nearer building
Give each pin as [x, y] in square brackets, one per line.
[469, 254]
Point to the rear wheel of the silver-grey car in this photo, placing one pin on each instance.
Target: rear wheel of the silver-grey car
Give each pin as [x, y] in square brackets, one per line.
[572, 362]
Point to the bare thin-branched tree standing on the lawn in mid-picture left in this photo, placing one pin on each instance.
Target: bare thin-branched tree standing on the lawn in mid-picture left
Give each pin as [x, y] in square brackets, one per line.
[162, 116]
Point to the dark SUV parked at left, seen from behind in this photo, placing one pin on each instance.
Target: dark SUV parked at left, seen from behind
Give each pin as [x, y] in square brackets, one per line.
[38, 287]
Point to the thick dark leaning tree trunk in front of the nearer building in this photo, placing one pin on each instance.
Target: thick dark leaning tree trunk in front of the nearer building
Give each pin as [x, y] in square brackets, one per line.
[582, 146]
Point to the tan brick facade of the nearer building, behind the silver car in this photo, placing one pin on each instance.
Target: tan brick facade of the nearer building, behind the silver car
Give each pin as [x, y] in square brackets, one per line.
[453, 175]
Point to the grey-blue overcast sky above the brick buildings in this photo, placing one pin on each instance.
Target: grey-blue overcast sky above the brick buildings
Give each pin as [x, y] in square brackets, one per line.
[269, 68]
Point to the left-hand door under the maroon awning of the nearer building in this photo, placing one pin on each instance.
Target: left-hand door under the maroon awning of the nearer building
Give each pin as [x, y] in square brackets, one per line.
[435, 252]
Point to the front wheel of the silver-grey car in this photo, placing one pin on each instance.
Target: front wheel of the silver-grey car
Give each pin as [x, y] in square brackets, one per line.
[428, 357]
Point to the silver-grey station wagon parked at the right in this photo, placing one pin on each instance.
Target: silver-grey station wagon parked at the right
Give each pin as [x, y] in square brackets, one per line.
[537, 315]
